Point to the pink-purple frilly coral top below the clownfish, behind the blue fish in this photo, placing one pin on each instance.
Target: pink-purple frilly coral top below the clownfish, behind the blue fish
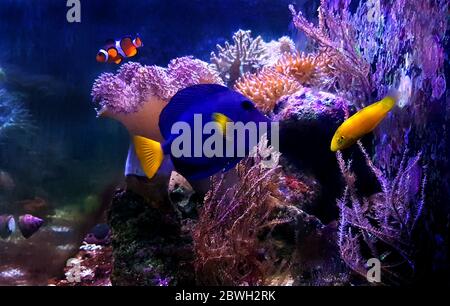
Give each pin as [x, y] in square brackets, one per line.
[127, 90]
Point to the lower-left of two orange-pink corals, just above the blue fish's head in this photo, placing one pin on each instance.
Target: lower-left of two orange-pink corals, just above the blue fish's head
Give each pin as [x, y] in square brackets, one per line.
[266, 87]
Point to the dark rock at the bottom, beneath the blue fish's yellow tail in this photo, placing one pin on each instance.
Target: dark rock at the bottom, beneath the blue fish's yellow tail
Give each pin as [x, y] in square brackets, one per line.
[150, 247]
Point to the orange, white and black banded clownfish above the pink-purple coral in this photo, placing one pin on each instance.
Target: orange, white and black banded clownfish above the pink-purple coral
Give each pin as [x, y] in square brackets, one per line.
[116, 50]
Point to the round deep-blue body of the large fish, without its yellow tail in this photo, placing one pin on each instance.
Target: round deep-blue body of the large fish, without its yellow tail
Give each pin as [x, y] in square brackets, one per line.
[206, 100]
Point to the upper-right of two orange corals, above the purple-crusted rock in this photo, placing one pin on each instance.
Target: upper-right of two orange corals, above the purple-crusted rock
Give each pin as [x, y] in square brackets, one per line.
[307, 69]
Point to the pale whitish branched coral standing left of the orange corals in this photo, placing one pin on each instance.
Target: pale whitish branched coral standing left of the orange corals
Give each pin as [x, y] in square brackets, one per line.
[247, 54]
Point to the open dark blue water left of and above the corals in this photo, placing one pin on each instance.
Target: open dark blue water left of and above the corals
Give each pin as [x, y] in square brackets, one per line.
[63, 154]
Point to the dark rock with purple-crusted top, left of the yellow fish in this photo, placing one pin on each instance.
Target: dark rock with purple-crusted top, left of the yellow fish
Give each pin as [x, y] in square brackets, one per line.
[308, 120]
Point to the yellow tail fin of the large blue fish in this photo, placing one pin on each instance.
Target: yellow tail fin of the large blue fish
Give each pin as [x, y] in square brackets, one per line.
[150, 154]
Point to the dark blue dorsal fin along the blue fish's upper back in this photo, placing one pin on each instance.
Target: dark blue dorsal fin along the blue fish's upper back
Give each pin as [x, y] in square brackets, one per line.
[182, 101]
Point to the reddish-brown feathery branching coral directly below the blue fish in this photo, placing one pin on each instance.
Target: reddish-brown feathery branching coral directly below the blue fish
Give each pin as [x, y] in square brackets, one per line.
[227, 237]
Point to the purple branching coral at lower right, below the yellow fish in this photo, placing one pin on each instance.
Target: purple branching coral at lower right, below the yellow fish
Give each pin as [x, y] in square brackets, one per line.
[382, 225]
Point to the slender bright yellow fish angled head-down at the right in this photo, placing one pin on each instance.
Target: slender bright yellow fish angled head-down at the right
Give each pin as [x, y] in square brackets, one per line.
[362, 123]
